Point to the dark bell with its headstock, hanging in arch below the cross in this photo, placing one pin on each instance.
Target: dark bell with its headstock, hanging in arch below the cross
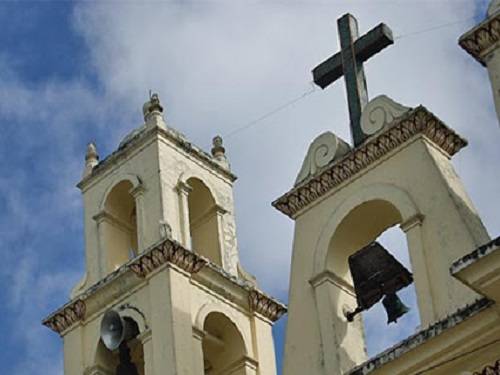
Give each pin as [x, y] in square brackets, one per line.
[377, 274]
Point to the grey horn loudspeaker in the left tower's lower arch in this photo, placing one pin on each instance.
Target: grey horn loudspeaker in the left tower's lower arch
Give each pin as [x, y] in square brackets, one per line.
[116, 329]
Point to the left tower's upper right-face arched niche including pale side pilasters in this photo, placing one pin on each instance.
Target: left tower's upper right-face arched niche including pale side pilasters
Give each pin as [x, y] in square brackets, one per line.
[201, 220]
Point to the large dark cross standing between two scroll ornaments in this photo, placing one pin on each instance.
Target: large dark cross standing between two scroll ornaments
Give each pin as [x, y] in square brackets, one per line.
[349, 63]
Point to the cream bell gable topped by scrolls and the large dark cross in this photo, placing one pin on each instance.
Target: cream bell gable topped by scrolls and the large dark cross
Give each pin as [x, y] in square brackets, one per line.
[398, 172]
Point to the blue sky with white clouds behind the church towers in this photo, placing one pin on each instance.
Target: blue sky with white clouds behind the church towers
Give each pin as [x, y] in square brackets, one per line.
[74, 72]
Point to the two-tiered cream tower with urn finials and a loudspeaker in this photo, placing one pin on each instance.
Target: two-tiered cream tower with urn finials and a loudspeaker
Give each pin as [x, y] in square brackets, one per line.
[163, 291]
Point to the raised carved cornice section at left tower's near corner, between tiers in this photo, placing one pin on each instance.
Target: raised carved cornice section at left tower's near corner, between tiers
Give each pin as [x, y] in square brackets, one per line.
[168, 251]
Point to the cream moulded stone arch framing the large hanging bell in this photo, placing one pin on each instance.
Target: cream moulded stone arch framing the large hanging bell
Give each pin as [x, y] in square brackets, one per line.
[346, 230]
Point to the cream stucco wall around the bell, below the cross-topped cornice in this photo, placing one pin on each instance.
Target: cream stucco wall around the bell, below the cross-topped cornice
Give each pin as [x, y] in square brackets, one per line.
[441, 225]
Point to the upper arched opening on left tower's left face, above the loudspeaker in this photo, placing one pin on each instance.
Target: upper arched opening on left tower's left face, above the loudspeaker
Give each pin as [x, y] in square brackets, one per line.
[117, 224]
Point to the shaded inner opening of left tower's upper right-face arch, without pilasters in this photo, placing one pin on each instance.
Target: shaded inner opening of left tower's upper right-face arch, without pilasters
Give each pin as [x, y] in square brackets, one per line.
[203, 221]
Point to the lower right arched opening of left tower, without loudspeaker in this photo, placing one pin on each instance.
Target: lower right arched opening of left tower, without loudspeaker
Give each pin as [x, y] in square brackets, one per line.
[223, 347]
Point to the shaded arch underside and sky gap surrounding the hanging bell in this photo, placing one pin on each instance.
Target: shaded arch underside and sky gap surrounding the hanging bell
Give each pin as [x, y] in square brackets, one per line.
[370, 221]
